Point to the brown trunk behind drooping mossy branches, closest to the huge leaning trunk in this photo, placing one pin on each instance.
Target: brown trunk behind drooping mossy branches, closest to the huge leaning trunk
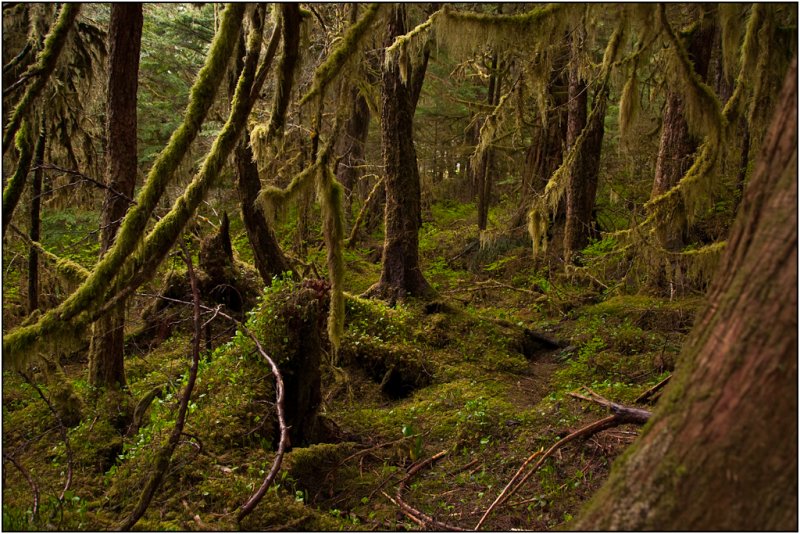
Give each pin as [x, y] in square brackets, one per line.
[677, 145]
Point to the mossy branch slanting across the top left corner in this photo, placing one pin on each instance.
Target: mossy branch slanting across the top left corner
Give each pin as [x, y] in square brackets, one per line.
[45, 64]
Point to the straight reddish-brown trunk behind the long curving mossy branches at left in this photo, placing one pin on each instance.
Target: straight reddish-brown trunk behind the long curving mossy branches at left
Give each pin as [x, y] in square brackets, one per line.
[106, 364]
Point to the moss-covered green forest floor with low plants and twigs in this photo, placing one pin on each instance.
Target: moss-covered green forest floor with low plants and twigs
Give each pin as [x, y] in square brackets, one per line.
[472, 382]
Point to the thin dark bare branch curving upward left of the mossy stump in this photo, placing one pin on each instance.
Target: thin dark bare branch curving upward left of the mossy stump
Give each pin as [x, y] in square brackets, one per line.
[165, 454]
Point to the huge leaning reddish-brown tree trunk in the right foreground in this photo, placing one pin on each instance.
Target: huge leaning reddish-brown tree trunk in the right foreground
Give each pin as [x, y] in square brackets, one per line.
[720, 453]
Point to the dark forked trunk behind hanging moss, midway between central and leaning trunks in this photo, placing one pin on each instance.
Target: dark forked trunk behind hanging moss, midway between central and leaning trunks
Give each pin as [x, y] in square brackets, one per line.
[582, 185]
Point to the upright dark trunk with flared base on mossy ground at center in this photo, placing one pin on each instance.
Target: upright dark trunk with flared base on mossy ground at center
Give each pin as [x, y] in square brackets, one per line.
[400, 273]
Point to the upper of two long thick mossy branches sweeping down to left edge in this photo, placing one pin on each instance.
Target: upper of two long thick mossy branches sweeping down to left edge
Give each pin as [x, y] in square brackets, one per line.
[60, 320]
